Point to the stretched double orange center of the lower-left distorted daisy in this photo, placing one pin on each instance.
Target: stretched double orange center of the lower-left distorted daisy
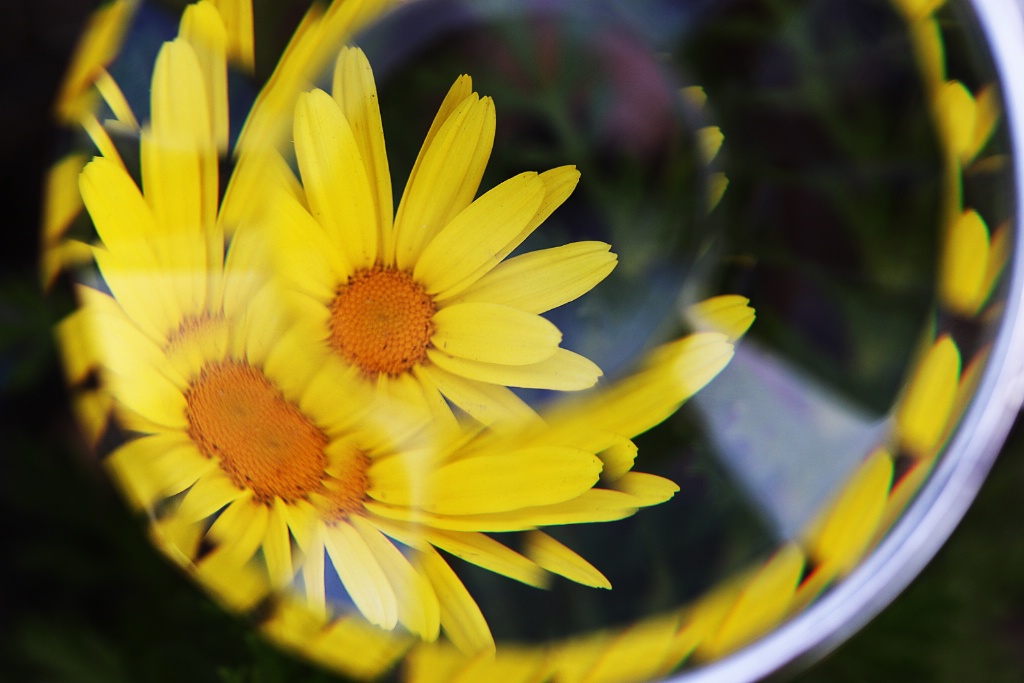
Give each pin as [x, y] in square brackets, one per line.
[265, 443]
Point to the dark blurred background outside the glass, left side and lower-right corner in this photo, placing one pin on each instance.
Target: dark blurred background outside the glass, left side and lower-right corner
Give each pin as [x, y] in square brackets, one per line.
[84, 599]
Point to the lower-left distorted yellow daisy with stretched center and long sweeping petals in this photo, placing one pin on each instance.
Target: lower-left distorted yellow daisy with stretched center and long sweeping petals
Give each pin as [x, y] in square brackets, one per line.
[265, 466]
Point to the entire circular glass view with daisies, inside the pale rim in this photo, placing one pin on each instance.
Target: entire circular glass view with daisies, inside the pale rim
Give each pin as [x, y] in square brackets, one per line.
[421, 334]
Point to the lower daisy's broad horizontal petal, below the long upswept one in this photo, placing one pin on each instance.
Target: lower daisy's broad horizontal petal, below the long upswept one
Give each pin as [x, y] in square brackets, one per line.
[487, 485]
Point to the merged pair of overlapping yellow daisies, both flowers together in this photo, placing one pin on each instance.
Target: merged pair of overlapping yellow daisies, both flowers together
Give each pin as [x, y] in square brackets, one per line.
[268, 465]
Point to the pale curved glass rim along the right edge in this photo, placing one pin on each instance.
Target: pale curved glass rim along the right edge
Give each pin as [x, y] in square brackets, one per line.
[945, 498]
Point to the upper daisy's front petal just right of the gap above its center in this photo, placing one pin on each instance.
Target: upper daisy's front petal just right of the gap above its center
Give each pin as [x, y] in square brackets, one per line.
[447, 179]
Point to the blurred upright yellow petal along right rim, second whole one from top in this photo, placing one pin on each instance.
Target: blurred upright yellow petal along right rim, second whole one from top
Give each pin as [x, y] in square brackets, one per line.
[965, 260]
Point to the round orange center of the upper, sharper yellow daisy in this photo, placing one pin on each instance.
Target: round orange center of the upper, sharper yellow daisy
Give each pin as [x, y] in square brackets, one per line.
[381, 321]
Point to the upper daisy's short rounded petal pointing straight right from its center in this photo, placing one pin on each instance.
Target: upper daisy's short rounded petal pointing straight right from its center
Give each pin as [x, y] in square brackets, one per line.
[492, 333]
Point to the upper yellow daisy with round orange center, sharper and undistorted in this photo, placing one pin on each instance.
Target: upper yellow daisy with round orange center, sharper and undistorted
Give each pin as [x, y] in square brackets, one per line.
[424, 303]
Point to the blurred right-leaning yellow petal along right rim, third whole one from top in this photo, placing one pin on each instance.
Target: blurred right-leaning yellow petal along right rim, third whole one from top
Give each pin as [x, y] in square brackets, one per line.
[927, 403]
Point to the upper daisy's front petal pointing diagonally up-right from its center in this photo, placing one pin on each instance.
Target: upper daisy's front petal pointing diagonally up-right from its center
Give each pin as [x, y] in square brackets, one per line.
[478, 239]
